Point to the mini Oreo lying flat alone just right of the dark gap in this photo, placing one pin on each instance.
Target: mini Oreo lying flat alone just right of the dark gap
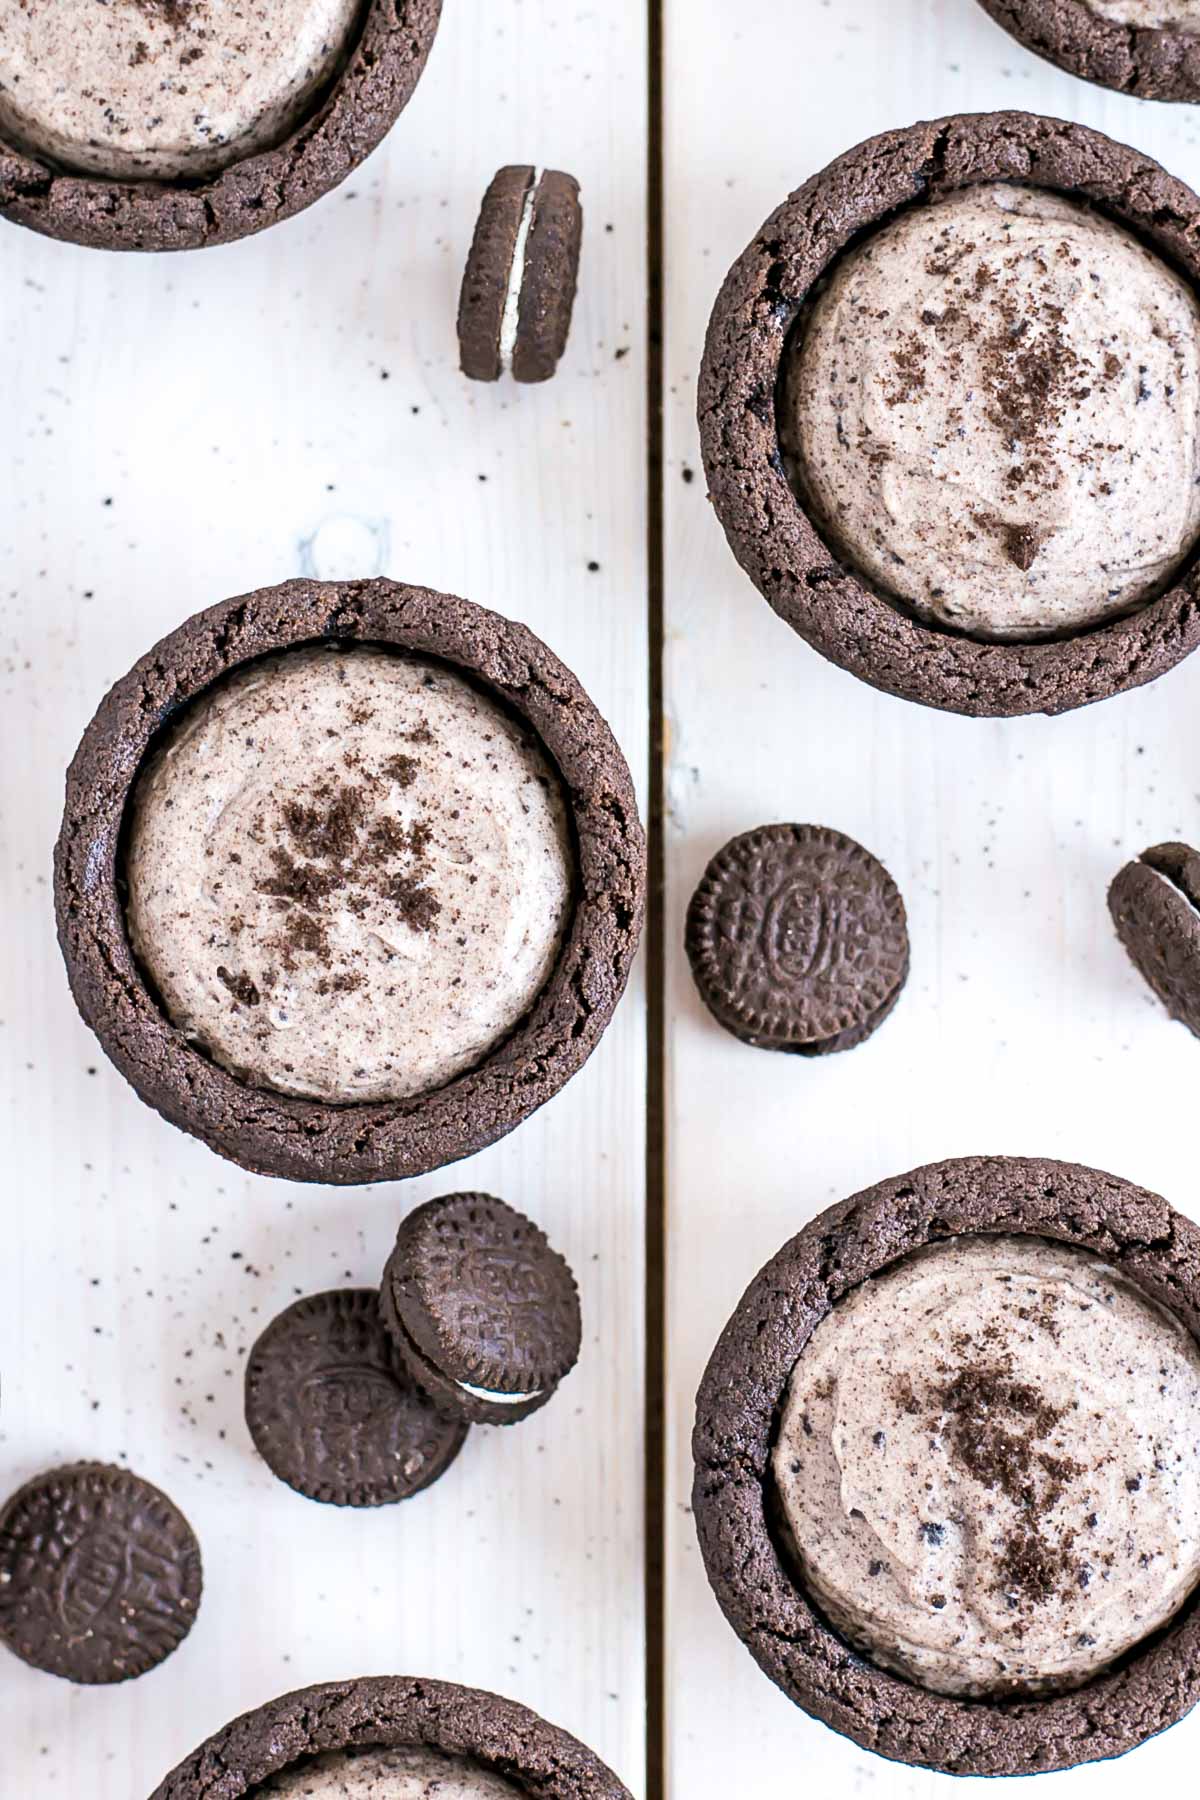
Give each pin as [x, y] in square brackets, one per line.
[798, 940]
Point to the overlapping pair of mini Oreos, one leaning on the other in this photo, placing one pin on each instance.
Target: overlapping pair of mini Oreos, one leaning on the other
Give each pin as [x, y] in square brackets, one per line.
[363, 1398]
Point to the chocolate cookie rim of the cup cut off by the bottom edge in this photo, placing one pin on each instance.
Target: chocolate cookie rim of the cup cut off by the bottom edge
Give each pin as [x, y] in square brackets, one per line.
[384, 1713]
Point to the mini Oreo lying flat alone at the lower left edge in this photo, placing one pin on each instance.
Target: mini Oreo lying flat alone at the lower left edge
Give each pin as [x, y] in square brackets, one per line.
[100, 1574]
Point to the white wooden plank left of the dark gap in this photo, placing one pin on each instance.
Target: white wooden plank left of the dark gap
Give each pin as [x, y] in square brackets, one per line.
[175, 431]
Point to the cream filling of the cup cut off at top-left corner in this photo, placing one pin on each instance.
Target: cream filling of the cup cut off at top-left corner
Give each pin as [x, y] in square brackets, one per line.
[163, 89]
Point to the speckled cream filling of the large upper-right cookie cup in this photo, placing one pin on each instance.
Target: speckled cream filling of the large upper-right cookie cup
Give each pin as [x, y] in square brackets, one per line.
[994, 413]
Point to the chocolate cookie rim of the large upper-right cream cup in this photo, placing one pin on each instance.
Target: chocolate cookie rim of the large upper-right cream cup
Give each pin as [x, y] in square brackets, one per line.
[766, 523]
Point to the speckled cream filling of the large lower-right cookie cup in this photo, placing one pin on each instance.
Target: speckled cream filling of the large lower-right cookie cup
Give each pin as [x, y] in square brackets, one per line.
[990, 1466]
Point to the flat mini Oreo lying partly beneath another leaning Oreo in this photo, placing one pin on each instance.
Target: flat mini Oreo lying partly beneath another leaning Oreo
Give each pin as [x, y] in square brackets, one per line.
[334, 1412]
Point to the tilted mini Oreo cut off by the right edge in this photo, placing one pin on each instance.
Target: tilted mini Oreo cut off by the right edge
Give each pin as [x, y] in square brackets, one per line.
[1156, 908]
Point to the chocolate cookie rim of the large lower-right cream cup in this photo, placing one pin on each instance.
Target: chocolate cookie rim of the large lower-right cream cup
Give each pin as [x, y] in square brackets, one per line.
[737, 1421]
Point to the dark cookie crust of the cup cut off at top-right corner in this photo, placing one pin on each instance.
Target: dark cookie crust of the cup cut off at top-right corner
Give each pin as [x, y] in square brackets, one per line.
[1158, 64]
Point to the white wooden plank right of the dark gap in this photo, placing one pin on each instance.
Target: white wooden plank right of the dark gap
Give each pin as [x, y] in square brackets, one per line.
[1023, 1029]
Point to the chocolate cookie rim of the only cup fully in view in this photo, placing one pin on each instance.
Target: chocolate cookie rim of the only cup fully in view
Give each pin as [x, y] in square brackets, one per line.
[307, 1140]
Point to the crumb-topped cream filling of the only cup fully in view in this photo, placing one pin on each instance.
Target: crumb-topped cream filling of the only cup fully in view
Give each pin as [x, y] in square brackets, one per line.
[348, 874]
